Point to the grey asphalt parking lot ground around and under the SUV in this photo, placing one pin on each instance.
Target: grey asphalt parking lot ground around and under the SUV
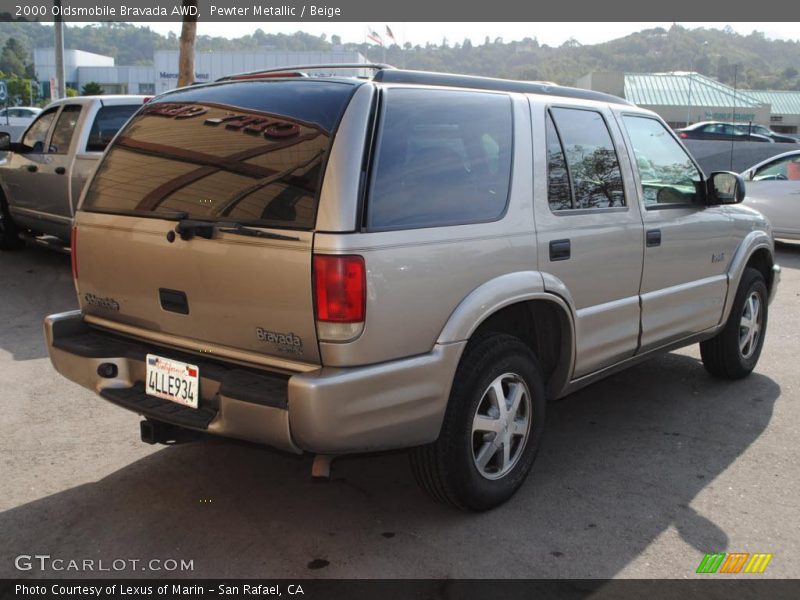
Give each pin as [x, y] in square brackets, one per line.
[639, 475]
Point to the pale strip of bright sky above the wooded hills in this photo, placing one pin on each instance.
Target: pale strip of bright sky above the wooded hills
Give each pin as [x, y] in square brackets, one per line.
[552, 34]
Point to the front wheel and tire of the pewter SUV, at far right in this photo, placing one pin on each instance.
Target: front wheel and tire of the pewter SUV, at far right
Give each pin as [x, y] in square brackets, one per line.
[734, 351]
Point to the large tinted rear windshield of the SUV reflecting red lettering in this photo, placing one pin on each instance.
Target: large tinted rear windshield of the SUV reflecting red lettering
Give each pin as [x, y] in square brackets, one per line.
[250, 152]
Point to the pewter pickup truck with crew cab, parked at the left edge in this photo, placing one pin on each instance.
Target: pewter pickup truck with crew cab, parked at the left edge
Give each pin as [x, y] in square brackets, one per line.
[42, 175]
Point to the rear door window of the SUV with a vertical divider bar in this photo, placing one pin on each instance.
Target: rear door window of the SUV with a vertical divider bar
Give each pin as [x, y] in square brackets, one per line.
[590, 159]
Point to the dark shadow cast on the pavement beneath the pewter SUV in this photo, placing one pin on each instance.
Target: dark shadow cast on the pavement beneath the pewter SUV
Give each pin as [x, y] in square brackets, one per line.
[621, 463]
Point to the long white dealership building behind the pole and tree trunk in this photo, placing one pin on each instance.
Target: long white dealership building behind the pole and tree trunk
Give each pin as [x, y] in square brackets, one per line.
[82, 67]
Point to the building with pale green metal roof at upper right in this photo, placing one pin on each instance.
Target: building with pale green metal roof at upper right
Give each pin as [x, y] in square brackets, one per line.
[683, 97]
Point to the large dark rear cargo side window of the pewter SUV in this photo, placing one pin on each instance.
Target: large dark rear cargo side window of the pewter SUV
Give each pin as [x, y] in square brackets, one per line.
[443, 158]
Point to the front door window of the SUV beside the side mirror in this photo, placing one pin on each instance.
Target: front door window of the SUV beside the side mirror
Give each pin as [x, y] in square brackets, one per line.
[667, 173]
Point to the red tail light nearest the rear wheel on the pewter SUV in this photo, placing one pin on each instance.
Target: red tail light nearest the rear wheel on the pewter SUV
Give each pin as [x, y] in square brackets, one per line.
[340, 296]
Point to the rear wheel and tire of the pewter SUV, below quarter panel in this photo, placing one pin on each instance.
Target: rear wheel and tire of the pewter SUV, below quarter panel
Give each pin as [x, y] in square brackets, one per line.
[466, 466]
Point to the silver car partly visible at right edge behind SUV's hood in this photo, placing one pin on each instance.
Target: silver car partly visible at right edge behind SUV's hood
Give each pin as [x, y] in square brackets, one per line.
[773, 188]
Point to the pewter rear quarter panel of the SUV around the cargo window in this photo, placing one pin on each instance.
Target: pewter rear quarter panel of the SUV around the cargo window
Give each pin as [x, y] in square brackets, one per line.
[417, 277]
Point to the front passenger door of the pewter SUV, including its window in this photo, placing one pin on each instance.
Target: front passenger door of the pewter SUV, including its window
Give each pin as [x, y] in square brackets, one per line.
[688, 246]
